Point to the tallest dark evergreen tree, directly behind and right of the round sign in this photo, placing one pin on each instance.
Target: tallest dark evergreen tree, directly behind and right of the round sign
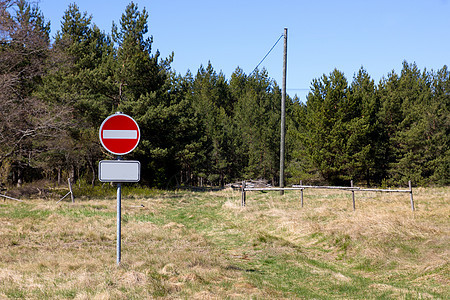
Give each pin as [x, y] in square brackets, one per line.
[155, 97]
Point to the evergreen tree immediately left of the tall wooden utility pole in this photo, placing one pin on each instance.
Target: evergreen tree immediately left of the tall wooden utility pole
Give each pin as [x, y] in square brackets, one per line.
[257, 118]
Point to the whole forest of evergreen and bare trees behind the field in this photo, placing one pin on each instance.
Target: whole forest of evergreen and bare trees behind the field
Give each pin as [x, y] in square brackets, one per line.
[203, 128]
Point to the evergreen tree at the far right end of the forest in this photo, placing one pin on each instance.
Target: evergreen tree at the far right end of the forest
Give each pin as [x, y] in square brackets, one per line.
[420, 141]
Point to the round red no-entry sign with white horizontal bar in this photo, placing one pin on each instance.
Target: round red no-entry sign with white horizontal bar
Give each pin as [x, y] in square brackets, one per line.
[119, 134]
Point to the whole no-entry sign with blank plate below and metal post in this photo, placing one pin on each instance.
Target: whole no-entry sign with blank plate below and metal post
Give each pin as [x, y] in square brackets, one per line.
[119, 134]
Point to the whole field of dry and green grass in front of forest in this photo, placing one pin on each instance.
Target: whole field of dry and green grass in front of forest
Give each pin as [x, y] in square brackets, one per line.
[203, 245]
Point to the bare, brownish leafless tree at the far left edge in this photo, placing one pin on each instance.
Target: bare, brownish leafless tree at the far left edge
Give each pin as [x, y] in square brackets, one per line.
[27, 124]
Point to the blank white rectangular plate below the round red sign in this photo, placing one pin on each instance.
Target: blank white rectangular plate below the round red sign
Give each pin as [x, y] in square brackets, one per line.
[119, 171]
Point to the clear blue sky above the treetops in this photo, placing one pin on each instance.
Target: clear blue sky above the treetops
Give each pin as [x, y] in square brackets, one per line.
[322, 34]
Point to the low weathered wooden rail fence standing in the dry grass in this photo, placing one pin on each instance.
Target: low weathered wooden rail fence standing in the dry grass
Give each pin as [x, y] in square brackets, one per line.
[350, 188]
